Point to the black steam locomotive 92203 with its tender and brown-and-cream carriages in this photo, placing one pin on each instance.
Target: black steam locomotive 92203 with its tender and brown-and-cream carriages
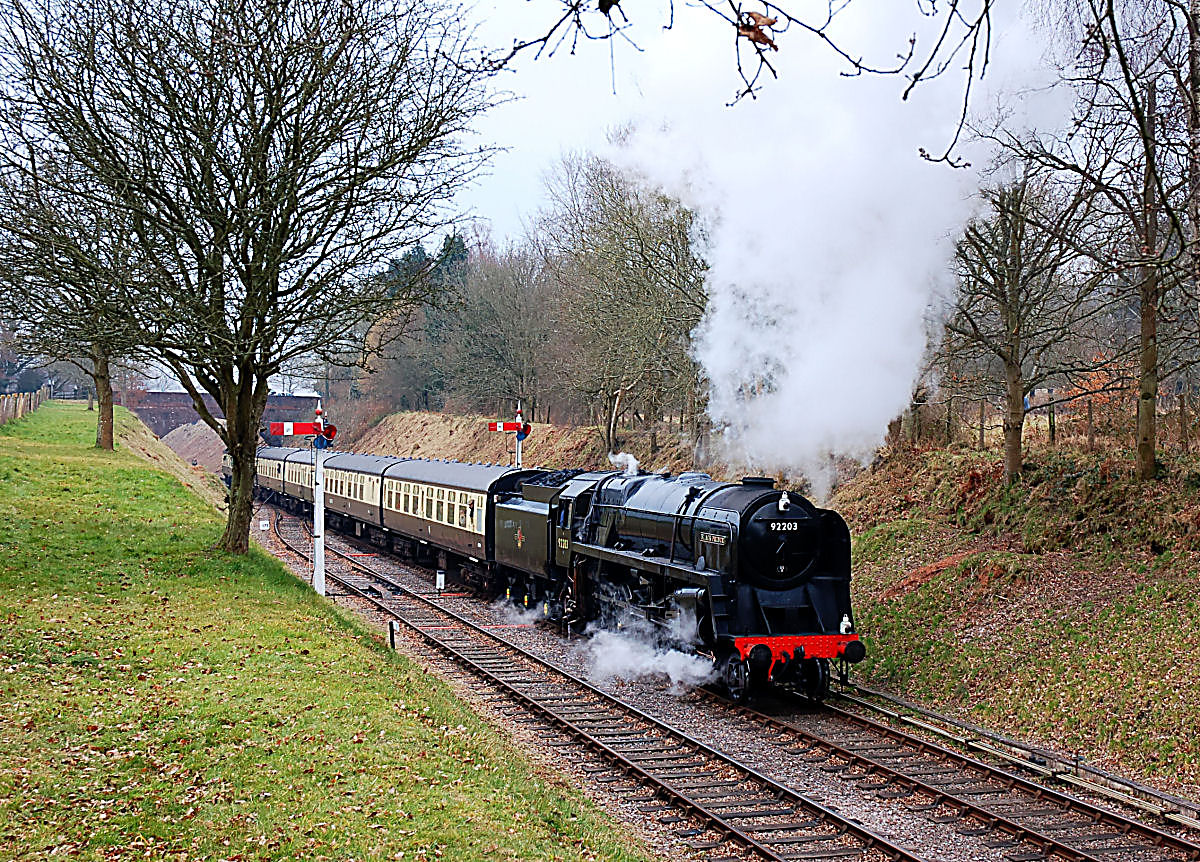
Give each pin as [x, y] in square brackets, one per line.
[760, 578]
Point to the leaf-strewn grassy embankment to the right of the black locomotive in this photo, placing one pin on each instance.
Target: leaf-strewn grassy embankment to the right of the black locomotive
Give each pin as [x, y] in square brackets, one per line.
[1064, 609]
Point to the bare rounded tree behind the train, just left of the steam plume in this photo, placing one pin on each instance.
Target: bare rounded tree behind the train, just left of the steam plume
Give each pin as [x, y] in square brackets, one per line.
[629, 278]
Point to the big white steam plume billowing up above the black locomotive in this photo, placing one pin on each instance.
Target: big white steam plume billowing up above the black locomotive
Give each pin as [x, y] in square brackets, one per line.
[829, 236]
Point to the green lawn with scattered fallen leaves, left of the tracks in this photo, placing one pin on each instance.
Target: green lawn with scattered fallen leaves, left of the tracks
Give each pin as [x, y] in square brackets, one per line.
[164, 701]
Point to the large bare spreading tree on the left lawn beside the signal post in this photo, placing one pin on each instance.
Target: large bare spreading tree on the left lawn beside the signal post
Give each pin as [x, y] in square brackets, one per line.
[272, 154]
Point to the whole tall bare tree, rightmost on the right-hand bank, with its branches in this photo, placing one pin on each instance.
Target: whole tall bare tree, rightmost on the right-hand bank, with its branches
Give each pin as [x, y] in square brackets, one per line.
[1131, 154]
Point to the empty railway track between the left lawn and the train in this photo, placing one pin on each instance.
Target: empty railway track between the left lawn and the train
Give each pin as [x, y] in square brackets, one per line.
[715, 801]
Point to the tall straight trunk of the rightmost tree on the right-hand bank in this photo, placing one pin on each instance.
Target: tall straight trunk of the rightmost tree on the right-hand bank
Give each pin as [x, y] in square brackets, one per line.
[1148, 379]
